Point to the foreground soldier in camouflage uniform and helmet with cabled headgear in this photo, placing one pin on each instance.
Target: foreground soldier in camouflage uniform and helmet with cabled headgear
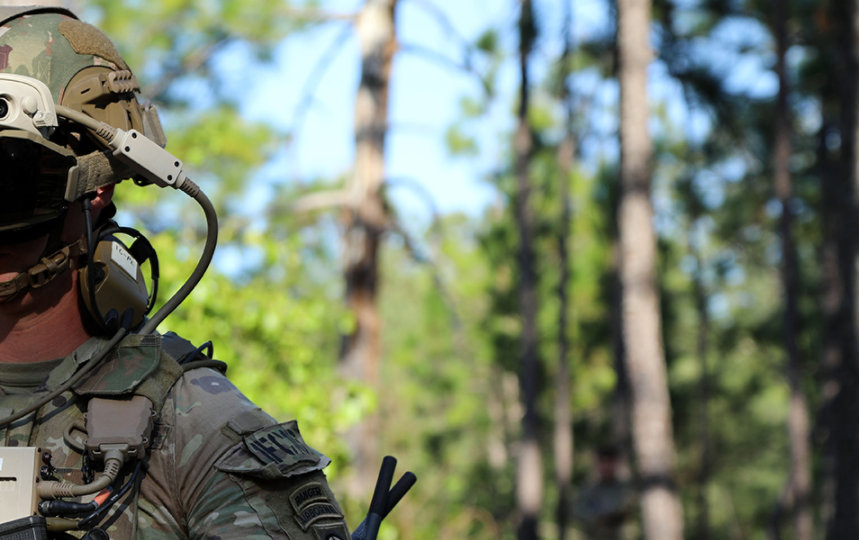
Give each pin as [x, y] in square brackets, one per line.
[168, 447]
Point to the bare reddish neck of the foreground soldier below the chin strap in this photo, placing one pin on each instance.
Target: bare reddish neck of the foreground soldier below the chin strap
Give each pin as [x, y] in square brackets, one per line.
[43, 324]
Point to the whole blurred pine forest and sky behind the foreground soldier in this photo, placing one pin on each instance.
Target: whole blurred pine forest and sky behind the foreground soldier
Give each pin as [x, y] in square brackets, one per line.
[459, 173]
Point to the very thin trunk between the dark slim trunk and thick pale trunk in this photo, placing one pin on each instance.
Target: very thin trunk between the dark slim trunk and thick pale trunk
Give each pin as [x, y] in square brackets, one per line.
[563, 445]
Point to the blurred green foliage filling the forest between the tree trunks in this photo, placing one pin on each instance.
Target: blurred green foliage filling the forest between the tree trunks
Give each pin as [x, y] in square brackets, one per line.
[451, 330]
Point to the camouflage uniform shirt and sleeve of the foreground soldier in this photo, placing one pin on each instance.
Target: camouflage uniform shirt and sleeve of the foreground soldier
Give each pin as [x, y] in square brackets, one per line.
[218, 466]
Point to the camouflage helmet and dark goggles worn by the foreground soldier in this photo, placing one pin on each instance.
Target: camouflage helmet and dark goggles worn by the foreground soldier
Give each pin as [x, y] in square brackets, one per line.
[83, 71]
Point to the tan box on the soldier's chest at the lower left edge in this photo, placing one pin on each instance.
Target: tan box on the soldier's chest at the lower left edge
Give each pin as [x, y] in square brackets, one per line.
[19, 473]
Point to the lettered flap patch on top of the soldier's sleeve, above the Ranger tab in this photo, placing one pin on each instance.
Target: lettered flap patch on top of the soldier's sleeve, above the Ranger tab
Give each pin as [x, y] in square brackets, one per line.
[273, 452]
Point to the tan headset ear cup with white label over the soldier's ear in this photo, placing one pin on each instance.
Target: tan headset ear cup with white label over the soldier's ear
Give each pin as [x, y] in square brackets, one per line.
[112, 286]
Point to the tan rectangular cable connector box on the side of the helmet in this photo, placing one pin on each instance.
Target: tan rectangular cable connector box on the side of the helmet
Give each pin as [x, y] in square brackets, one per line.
[153, 163]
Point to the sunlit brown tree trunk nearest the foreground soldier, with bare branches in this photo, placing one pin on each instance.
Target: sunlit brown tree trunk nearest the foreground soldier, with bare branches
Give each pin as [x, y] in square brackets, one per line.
[365, 220]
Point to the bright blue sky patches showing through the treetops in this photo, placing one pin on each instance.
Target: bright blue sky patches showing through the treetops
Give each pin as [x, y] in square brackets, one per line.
[425, 98]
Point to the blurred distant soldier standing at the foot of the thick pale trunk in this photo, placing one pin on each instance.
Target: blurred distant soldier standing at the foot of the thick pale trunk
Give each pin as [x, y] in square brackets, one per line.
[605, 507]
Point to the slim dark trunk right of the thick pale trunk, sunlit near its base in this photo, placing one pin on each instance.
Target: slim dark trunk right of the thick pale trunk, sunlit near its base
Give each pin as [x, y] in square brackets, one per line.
[798, 425]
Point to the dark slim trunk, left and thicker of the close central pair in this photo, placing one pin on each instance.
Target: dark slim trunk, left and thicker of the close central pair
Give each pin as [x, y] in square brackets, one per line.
[529, 482]
